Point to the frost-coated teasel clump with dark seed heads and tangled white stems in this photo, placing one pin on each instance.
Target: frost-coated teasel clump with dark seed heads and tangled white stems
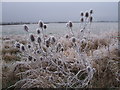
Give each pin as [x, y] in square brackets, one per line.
[51, 50]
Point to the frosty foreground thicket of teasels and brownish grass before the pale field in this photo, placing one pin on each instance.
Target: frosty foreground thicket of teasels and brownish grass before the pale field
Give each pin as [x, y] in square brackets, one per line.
[70, 61]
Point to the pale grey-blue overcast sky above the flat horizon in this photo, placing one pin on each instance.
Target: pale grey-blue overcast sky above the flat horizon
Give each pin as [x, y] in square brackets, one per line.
[57, 11]
